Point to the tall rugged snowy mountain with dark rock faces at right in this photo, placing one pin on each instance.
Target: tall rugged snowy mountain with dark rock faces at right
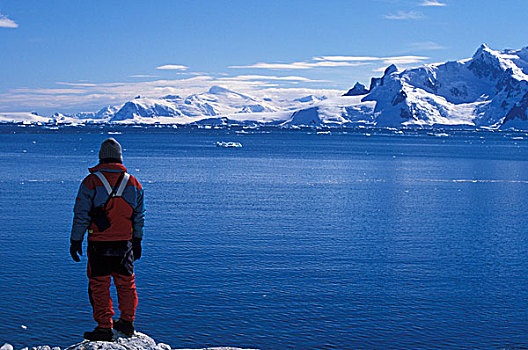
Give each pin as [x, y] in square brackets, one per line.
[488, 90]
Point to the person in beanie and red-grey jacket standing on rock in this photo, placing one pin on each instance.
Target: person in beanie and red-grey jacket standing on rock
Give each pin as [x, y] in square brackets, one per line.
[110, 206]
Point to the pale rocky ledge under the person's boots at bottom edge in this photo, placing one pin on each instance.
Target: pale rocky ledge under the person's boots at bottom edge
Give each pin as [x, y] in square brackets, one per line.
[138, 342]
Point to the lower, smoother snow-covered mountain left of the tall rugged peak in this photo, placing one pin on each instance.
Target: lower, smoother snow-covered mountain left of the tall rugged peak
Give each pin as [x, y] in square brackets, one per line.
[215, 106]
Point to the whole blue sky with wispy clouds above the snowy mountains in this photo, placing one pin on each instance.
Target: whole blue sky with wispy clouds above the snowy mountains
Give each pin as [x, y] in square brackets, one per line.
[72, 55]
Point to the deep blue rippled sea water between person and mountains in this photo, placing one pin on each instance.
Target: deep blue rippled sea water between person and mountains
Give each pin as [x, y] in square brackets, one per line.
[294, 241]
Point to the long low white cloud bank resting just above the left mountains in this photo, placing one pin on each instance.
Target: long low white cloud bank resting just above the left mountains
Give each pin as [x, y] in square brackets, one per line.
[92, 96]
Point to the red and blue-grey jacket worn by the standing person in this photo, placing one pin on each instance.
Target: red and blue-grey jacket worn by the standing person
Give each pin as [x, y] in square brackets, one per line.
[126, 212]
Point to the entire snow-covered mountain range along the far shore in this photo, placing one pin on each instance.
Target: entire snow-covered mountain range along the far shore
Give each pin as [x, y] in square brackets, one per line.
[487, 91]
